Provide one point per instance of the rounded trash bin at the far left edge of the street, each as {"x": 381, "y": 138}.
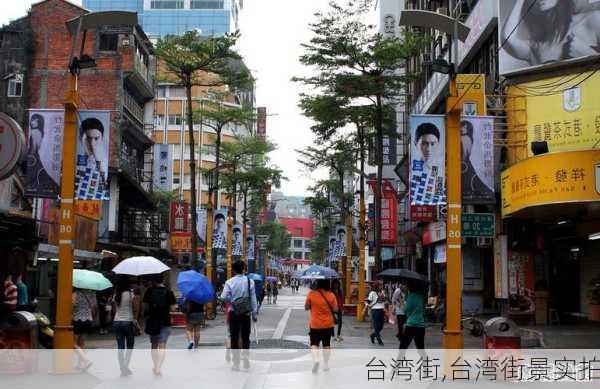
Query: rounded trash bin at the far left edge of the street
{"x": 18, "y": 343}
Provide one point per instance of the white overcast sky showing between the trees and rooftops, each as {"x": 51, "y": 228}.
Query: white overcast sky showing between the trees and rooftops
{"x": 272, "y": 31}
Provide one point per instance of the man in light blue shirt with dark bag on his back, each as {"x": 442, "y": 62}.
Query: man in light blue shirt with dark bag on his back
{"x": 240, "y": 293}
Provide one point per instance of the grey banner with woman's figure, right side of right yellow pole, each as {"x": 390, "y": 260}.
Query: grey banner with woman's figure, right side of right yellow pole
{"x": 477, "y": 138}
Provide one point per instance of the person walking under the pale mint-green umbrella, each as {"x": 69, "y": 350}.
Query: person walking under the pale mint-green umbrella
{"x": 85, "y": 310}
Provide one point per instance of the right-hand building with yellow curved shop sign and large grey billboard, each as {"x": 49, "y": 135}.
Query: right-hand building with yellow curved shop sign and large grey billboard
{"x": 545, "y": 167}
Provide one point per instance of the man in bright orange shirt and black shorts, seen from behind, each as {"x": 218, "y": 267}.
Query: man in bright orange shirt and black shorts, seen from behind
{"x": 322, "y": 305}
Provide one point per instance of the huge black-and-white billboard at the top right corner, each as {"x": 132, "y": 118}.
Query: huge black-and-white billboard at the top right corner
{"x": 534, "y": 33}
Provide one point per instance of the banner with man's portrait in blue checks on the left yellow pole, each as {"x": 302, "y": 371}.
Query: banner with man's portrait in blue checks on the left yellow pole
{"x": 91, "y": 174}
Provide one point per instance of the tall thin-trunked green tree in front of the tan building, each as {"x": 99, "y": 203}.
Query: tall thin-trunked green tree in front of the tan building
{"x": 192, "y": 60}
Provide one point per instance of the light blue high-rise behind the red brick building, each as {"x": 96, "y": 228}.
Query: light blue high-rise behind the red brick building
{"x": 159, "y": 18}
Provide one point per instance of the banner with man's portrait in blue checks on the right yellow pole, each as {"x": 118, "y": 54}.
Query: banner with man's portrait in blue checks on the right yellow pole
{"x": 427, "y": 160}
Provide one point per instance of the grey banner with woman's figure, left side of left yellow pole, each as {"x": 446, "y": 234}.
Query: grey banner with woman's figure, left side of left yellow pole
{"x": 44, "y": 153}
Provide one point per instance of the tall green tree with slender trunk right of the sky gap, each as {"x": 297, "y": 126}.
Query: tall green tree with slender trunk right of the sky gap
{"x": 353, "y": 61}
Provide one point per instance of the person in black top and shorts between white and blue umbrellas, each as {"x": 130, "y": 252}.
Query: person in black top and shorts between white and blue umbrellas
{"x": 159, "y": 301}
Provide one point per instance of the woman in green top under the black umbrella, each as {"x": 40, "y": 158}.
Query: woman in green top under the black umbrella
{"x": 414, "y": 328}
